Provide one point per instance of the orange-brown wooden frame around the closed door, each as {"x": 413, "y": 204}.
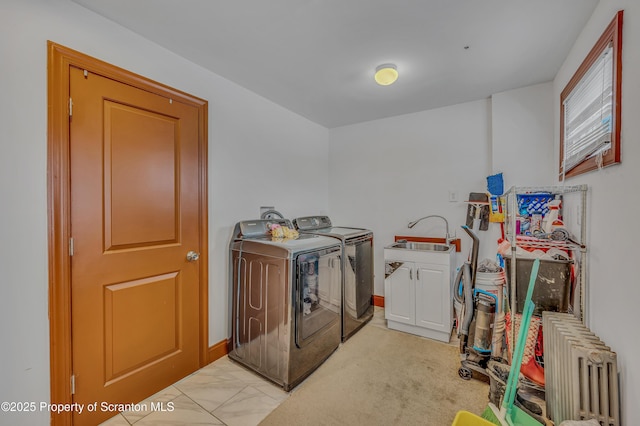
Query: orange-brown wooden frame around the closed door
{"x": 59, "y": 59}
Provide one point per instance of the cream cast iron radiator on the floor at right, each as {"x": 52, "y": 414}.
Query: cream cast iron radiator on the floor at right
{"x": 581, "y": 374}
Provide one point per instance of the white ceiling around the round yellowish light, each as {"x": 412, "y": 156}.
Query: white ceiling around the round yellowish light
{"x": 317, "y": 57}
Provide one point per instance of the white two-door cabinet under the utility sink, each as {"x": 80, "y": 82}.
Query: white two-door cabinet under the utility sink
{"x": 418, "y": 296}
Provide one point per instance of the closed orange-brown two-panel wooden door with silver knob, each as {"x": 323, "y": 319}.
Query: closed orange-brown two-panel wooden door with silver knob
{"x": 134, "y": 217}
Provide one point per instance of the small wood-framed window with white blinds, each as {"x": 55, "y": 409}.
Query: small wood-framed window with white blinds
{"x": 590, "y": 107}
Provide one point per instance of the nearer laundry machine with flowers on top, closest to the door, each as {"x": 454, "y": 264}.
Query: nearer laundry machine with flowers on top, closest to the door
{"x": 285, "y": 315}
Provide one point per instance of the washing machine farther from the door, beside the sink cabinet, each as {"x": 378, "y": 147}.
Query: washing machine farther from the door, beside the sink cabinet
{"x": 357, "y": 269}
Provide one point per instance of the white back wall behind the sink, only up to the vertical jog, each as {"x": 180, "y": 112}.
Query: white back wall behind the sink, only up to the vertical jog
{"x": 386, "y": 173}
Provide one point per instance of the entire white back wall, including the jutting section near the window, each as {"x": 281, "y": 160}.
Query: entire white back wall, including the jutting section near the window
{"x": 386, "y": 173}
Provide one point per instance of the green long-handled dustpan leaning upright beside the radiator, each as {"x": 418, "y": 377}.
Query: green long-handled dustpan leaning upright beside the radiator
{"x": 509, "y": 414}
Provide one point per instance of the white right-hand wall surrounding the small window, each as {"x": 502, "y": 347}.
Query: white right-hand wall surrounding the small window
{"x": 613, "y": 287}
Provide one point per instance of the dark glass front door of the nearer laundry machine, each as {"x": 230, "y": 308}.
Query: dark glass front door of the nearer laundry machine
{"x": 318, "y": 292}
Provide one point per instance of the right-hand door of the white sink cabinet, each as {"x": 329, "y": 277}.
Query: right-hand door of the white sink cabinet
{"x": 433, "y": 299}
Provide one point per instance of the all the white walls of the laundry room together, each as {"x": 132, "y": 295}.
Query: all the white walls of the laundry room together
{"x": 378, "y": 175}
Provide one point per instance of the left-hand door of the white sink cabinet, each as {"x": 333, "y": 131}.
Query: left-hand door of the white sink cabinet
{"x": 399, "y": 290}
